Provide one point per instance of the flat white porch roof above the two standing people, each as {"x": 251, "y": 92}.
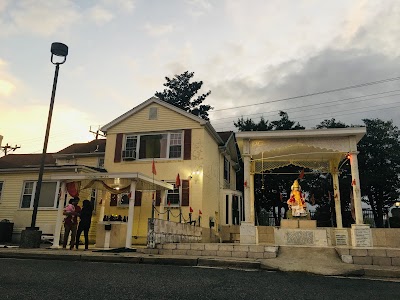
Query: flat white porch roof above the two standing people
{"x": 143, "y": 182}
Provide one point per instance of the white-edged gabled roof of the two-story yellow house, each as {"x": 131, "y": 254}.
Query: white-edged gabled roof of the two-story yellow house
{"x": 152, "y": 100}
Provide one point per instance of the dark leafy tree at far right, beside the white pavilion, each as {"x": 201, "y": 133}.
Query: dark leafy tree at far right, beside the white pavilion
{"x": 379, "y": 165}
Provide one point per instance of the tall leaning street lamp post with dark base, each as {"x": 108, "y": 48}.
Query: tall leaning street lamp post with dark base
{"x": 31, "y": 236}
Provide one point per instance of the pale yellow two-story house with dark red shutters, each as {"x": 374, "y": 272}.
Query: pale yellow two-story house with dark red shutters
{"x": 155, "y": 154}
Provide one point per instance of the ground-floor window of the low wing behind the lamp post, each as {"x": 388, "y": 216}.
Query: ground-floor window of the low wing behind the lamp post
{"x": 48, "y": 194}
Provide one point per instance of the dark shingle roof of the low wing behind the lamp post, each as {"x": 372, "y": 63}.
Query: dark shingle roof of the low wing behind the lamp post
{"x": 22, "y": 160}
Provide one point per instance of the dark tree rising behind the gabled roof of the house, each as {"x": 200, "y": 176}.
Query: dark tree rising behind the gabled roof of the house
{"x": 181, "y": 93}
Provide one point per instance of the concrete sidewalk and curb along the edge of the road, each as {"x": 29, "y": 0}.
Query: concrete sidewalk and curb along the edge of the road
{"x": 318, "y": 262}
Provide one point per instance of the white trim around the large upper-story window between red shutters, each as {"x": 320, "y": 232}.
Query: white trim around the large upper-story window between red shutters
{"x": 138, "y": 136}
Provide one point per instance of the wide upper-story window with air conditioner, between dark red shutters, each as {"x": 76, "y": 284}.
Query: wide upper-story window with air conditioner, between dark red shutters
{"x": 146, "y": 146}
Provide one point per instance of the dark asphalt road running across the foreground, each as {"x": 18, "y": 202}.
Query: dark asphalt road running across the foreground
{"x": 50, "y": 279}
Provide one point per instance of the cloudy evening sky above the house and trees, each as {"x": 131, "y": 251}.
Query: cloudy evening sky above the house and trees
{"x": 251, "y": 54}
